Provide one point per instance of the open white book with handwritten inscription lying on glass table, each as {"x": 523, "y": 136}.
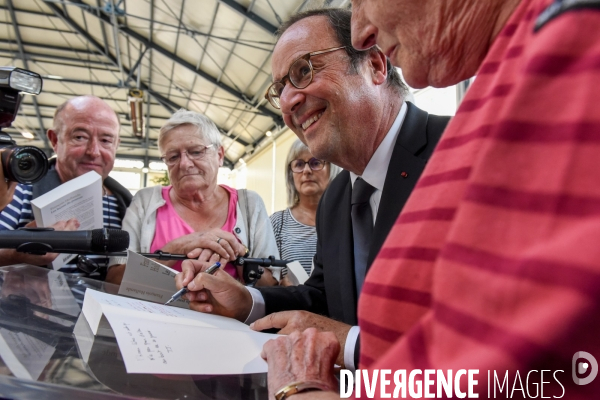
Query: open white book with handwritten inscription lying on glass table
{"x": 158, "y": 339}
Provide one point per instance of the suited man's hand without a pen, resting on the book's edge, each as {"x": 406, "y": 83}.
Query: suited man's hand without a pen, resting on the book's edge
{"x": 293, "y": 321}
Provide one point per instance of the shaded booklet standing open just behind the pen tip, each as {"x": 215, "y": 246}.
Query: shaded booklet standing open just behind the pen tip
{"x": 147, "y": 279}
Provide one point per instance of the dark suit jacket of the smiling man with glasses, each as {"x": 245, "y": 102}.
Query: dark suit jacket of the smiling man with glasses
{"x": 331, "y": 288}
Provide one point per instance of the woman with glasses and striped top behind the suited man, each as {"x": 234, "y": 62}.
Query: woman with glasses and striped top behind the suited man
{"x": 306, "y": 178}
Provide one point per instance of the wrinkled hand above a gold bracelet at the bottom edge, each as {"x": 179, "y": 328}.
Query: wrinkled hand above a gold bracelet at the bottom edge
{"x": 300, "y": 357}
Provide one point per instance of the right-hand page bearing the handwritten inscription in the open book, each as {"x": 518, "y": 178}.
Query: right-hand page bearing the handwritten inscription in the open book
{"x": 155, "y": 347}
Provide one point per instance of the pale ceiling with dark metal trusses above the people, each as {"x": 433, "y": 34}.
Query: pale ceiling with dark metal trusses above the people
{"x": 210, "y": 56}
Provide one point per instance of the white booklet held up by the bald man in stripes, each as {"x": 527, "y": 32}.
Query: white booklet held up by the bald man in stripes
{"x": 79, "y": 198}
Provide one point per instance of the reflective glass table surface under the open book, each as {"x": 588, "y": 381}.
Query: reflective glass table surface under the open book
{"x": 47, "y": 349}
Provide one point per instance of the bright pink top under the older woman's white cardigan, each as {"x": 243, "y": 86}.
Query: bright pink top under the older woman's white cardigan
{"x": 169, "y": 225}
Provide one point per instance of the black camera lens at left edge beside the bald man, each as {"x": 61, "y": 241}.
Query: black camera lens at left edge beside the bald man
{"x": 25, "y": 164}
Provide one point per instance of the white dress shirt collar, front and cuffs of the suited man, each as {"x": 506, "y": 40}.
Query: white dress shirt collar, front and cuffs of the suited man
{"x": 374, "y": 174}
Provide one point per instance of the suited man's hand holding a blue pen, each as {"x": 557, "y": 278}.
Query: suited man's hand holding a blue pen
{"x": 218, "y": 294}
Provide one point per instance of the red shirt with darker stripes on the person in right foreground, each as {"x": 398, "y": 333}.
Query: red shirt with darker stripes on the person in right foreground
{"x": 494, "y": 262}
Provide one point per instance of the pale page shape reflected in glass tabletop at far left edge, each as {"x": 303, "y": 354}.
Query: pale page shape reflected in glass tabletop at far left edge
{"x": 24, "y": 355}
